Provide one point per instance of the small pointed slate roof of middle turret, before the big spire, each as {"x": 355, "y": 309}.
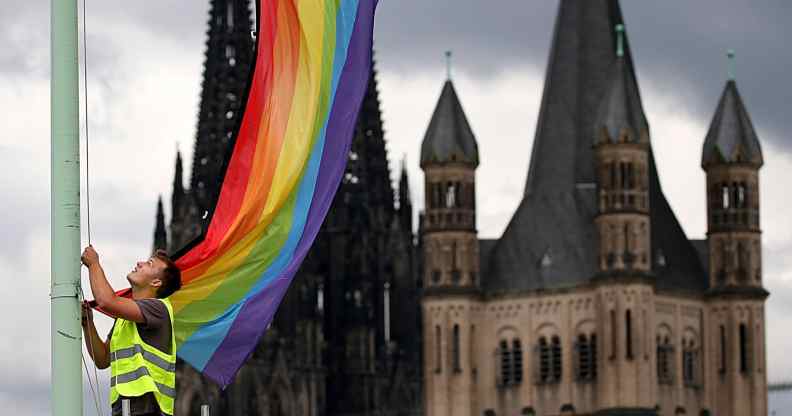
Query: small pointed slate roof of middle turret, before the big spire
{"x": 621, "y": 107}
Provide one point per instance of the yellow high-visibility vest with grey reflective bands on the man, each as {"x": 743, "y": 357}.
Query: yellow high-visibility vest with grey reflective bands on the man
{"x": 137, "y": 368}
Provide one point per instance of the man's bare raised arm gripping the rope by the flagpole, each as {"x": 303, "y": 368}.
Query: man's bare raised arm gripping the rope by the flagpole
{"x": 104, "y": 294}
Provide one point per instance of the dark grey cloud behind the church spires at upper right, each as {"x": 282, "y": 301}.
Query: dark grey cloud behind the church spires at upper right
{"x": 676, "y": 43}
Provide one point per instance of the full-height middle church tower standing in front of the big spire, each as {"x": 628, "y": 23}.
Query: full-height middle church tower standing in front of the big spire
{"x": 621, "y": 147}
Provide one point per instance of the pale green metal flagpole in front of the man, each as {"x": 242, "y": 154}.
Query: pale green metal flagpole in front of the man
{"x": 66, "y": 333}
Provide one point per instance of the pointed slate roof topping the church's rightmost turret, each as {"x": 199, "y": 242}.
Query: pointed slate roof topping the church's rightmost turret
{"x": 731, "y": 137}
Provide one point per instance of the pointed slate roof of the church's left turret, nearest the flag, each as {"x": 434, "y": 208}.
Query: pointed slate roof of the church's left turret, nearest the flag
{"x": 449, "y": 137}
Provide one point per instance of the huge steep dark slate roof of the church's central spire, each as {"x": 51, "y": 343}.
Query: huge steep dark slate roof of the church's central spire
{"x": 551, "y": 241}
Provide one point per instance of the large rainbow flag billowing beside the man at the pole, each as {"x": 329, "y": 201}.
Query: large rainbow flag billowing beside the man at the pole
{"x": 311, "y": 70}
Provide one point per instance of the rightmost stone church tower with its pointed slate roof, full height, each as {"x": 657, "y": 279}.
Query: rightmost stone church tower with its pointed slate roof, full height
{"x": 731, "y": 159}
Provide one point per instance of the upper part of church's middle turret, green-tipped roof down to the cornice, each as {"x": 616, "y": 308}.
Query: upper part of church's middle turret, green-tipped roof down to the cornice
{"x": 621, "y": 145}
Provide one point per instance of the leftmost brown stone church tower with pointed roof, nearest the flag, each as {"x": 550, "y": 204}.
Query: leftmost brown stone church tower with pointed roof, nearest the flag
{"x": 449, "y": 158}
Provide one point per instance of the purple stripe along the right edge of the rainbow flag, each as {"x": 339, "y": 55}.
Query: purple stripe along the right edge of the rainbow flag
{"x": 247, "y": 329}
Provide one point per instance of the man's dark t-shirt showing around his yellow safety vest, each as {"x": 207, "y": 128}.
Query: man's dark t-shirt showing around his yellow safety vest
{"x": 156, "y": 332}
